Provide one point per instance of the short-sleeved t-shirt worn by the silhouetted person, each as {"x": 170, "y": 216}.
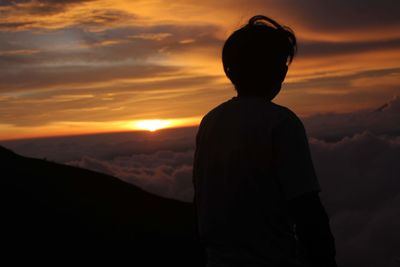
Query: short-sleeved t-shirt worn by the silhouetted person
{"x": 251, "y": 157}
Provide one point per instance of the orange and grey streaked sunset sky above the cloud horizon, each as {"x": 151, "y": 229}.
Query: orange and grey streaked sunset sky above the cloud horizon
{"x": 84, "y": 66}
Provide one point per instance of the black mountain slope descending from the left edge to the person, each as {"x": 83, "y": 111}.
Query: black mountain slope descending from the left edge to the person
{"x": 51, "y": 209}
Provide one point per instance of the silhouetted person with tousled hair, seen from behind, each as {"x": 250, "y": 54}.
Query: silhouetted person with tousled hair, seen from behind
{"x": 256, "y": 192}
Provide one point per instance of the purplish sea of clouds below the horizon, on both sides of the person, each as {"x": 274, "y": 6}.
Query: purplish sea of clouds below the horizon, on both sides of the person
{"x": 356, "y": 157}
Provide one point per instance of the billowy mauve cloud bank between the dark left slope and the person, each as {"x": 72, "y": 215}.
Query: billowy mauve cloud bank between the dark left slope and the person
{"x": 167, "y": 173}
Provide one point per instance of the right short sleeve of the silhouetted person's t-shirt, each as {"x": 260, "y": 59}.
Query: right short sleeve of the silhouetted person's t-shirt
{"x": 293, "y": 162}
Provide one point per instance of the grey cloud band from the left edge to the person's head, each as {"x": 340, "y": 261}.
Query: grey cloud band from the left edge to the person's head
{"x": 114, "y": 45}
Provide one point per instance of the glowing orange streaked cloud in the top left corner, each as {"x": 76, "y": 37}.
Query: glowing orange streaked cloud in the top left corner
{"x": 43, "y": 15}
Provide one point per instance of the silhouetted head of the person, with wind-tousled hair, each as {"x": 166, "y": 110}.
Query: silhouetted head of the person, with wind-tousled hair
{"x": 256, "y": 56}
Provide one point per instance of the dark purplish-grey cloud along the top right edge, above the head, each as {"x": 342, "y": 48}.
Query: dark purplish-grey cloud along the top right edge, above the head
{"x": 331, "y": 15}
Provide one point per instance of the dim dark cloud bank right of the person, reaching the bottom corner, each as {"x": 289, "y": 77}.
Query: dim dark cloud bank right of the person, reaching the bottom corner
{"x": 360, "y": 180}
